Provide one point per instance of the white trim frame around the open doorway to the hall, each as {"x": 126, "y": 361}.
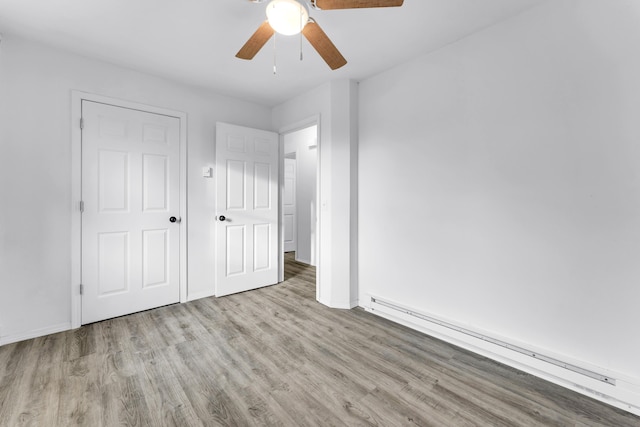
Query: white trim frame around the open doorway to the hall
{"x": 302, "y": 124}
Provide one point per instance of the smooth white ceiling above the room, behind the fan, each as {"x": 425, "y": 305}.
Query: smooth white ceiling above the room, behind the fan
{"x": 195, "y": 41}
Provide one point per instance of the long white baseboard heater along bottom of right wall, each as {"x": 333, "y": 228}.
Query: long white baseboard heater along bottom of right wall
{"x": 622, "y": 391}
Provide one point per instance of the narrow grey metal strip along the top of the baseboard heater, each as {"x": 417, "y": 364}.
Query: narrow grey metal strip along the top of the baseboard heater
{"x": 596, "y": 376}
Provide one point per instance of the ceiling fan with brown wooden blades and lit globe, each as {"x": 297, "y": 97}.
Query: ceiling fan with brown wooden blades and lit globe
{"x": 290, "y": 17}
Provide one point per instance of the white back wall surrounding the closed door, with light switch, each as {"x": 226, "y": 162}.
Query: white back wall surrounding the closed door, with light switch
{"x": 35, "y": 166}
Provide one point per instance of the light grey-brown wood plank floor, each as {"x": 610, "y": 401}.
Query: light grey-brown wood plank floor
{"x": 273, "y": 356}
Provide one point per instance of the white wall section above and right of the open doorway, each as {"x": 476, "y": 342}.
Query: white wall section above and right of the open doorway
{"x": 335, "y": 104}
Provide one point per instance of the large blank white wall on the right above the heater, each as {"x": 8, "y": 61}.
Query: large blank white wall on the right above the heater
{"x": 500, "y": 183}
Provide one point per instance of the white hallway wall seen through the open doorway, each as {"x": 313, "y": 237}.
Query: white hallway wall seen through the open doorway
{"x": 303, "y": 143}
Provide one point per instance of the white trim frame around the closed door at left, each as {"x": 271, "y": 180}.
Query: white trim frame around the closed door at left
{"x": 76, "y": 191}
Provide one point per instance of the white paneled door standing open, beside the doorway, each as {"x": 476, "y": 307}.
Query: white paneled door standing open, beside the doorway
{"x": 247, "y": 201}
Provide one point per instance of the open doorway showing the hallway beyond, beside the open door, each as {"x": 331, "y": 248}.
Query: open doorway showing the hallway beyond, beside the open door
{"x": 299, "y": 196}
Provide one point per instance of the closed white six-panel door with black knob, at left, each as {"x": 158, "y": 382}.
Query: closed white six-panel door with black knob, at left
{"x": 130, "y": 222}
